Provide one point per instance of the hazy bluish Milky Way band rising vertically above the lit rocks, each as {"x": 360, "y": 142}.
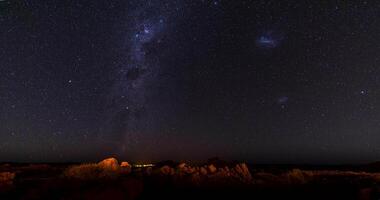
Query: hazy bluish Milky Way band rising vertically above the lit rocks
{"x": 138, "y": 72}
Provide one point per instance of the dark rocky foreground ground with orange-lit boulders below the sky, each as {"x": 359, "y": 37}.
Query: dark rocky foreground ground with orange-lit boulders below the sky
{"x": 112, "y": 180}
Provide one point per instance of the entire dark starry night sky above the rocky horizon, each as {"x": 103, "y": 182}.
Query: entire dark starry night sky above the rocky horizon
{"x": 150, "y": 80}
